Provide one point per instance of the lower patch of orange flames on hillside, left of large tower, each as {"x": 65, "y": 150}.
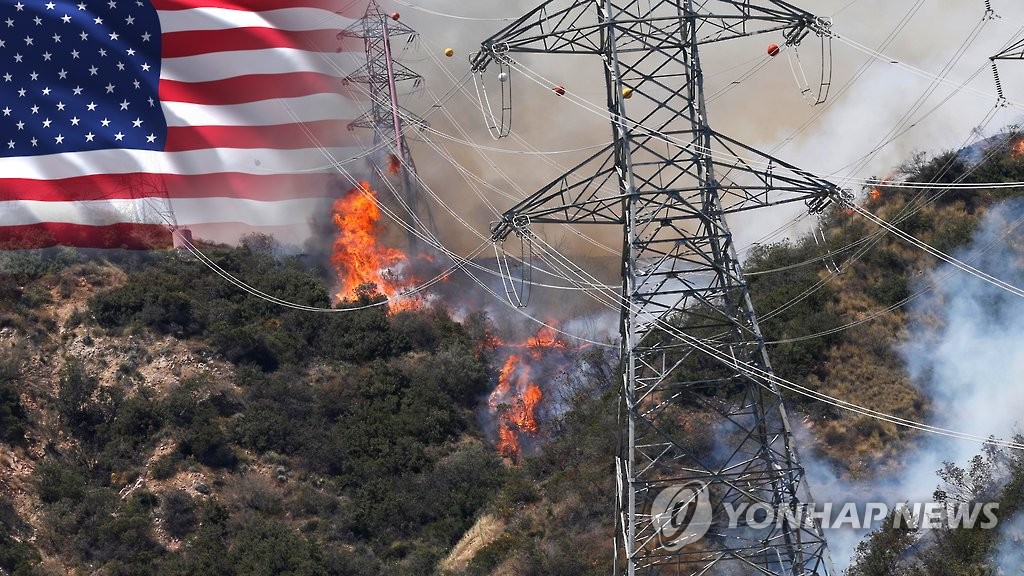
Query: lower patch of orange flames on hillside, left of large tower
{"x": 517, "y": 401}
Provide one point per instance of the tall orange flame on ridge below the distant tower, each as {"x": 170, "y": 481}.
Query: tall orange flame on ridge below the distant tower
{"x": 359, "y": 259}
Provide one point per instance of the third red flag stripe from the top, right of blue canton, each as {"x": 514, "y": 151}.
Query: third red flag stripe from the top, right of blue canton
{"x": 252, "y": 89}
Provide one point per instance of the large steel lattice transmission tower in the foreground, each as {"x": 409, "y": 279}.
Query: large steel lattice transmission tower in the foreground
{"x": 694, "y": 358}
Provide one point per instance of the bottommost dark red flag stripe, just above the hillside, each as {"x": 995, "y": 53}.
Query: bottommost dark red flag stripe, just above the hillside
{"x": 129, "y": 236}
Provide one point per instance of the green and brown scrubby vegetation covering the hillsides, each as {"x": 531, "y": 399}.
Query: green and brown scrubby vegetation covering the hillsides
{"x": 160, "y": 422}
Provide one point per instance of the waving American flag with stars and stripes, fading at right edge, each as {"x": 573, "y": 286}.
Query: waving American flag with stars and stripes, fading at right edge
{"x": 233, "y": 109}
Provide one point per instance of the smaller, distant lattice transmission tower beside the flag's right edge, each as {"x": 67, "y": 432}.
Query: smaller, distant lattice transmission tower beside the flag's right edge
{"x": 382, "y": 75}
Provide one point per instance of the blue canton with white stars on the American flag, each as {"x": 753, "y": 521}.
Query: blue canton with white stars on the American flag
{"x": 79, "y": 77}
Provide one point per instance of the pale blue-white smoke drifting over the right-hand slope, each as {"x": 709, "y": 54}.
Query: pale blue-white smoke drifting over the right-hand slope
{"x": 963, "y": 350}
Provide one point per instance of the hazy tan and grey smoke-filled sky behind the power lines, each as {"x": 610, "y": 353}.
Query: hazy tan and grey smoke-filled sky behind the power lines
{"x": 763, "y": 112}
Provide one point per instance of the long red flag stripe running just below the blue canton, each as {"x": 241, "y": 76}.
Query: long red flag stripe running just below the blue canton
{"x": 224, "y": 185}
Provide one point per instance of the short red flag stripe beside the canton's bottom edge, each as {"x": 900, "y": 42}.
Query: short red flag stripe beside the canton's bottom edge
{"x": 328, "y": 134}
